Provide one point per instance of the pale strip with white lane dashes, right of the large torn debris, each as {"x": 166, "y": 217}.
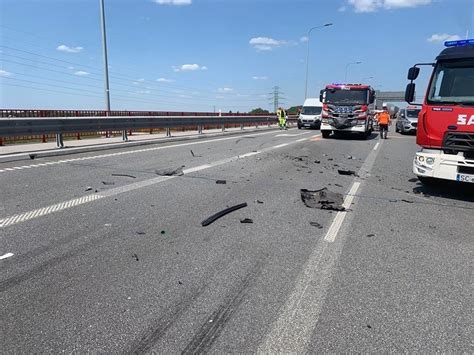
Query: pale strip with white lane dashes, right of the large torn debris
{"x": 291, "y": 332}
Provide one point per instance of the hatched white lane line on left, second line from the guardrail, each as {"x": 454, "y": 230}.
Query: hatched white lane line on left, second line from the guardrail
{"x": 23, "y": 217}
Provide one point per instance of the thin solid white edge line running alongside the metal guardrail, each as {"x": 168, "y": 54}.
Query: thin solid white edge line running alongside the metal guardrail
{"x": 101, "y": 156}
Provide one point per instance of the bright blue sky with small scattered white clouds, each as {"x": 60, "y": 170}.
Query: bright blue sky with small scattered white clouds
{"x": 194, "y": 55}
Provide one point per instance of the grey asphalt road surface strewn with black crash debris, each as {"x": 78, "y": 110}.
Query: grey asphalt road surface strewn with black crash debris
{"x": 100, "y": 252}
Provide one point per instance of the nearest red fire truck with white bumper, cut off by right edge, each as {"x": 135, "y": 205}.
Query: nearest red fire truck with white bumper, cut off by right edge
{"x": 446, "y": 121}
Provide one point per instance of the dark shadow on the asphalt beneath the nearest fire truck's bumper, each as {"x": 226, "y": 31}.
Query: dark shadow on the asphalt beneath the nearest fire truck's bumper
{"x": 447, "y": 189}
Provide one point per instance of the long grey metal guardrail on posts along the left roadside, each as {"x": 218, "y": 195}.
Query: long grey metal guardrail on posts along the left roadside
{"x": 60, "y": 125}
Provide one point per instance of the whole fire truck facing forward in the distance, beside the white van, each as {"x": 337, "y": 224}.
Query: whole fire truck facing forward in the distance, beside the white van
{"x": 347, "y": 108}
